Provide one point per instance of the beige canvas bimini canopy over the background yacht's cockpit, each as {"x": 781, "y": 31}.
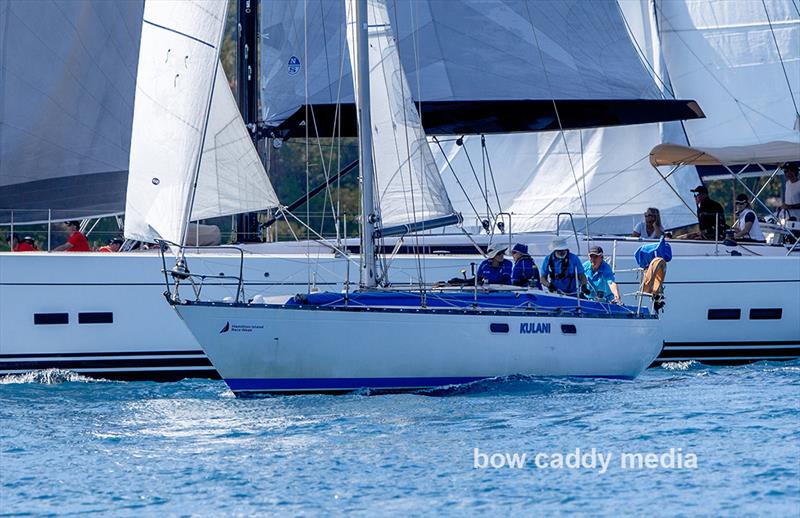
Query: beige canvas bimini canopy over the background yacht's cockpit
{"x": 769, "y": 153}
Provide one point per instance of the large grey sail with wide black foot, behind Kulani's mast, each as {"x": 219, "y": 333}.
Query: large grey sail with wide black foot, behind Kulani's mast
{"x": 478, "y": 68}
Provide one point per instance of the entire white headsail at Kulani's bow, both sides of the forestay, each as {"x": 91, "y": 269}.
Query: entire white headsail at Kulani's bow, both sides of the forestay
{"x": 179, "y": 125}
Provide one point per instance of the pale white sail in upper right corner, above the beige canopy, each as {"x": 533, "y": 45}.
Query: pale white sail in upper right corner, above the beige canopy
{"x": 741, "y": 62}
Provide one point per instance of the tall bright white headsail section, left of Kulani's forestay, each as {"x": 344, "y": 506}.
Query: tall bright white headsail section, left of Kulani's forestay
{"x": 177, "y": 64}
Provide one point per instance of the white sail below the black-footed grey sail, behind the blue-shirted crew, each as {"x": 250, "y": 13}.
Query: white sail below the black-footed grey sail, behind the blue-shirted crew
{"x": 538, "y": 176}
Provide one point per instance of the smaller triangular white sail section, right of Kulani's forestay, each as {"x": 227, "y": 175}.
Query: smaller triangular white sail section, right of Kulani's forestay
{"x": 232, "y": 178}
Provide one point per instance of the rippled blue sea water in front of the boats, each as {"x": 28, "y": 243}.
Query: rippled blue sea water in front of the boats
{"x": 192, "y": 448}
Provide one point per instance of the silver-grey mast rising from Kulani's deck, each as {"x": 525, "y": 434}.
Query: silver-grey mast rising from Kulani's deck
{"x": 368, "y": 219}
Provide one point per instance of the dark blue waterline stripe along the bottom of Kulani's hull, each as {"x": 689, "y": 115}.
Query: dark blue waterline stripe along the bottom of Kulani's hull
{"x": 329, "y": 384}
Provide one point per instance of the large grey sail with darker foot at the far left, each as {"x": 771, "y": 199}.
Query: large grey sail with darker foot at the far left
{"x": 67, "y": 83}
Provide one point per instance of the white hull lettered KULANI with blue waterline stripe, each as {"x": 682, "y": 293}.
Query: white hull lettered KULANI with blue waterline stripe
{"x": 279, "y": 349}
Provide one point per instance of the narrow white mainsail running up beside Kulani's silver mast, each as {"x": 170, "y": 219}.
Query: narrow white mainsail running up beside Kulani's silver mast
{"x": 409, "y": 188}
